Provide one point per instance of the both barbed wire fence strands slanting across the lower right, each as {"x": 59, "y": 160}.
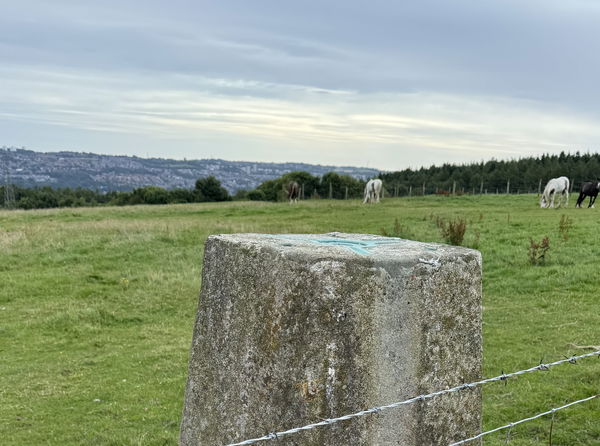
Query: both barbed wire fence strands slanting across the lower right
{"x": 502, "y": 377}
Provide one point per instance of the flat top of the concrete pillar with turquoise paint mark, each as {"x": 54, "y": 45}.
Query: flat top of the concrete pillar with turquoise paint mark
{"x": 343, "y": 245}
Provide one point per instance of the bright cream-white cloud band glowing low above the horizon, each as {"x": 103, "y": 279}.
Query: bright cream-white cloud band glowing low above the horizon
{"x": 451, "y": 127}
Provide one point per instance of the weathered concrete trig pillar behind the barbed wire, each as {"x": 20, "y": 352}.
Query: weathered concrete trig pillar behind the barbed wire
{"x": 294, "y": 329}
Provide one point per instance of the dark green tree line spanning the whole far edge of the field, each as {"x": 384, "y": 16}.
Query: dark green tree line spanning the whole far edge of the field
{"x": 526, "y": 175}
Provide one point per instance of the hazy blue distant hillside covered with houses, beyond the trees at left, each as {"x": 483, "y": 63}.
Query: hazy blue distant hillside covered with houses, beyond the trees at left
{"x": 124, "y": 173}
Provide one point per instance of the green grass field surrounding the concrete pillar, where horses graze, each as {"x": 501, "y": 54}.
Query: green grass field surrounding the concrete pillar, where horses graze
{"x": 97, "y": 307}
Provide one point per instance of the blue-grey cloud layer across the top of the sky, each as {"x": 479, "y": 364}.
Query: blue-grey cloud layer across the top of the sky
{"x": 509, "y": 48}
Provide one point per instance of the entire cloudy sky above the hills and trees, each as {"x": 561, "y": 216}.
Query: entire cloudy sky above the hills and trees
{"x": 381, "y": 84}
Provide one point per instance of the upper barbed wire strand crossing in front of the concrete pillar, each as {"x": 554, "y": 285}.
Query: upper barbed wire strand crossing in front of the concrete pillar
{"x": 503, "y": 377}
